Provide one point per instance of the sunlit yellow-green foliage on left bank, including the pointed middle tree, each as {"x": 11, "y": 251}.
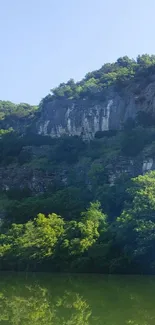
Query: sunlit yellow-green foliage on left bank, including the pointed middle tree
{"x": 45, "y": 239}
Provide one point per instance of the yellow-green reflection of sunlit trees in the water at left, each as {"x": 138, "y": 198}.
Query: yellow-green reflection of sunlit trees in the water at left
{"x": 34, "y": 305}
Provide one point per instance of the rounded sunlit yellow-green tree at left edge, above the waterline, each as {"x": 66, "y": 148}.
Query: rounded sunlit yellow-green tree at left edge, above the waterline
{"x": 34, "y": 241}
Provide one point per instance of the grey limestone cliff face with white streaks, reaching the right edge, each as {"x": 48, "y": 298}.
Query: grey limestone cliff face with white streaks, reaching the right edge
{"x": 86, "y": 117}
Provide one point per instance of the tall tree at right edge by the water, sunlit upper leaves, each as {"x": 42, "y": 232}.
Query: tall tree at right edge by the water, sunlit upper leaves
{"x": 136, "y": 224}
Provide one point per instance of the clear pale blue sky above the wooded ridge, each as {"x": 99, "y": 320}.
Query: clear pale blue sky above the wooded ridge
{"x": 45, "y": 42}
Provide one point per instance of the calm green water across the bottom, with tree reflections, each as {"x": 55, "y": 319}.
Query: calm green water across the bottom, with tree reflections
{"x": 47, "y": 299}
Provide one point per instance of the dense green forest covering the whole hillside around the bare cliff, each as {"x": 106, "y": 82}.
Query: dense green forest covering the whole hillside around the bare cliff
{"x": 98, "y": 213}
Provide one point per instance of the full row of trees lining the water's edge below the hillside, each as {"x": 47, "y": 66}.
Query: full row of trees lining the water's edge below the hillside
{"x": 92, "y": 244}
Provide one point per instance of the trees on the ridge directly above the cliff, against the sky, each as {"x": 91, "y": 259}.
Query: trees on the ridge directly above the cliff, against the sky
{"x": 118, "y": 74}
